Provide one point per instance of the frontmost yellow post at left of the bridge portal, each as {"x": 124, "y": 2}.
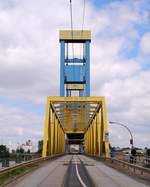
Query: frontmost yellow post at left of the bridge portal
{"x": 44, "y": 151}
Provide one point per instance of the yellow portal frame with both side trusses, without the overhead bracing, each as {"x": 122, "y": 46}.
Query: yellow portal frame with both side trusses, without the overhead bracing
{"x": 96, "y": 141}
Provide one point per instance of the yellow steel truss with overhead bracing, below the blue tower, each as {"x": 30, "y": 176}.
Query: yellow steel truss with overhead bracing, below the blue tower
{"x": 76, "y": 115}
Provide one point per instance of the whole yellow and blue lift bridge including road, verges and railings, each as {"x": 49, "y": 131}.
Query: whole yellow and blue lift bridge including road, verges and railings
{"x": 75, "y": 119}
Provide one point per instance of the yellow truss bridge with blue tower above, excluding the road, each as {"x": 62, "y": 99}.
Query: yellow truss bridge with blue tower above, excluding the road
{"x": 75, "y": 117}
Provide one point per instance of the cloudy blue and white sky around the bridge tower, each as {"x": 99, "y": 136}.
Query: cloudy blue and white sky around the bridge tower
{"x": 29, "y": 64}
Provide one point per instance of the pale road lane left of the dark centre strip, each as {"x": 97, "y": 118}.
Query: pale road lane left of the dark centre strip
{"x": 50, "y": 175}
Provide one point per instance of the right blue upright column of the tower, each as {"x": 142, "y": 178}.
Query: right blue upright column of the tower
{"x": 87, "y": 67}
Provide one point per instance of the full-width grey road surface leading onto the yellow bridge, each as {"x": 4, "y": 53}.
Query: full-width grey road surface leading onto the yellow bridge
{"x": 54, "y": 174}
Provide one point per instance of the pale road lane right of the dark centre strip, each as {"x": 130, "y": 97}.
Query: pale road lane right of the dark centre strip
{"x": 104, "y": 176}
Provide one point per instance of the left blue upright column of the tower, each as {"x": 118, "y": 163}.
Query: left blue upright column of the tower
{"x": 62, "y": 58}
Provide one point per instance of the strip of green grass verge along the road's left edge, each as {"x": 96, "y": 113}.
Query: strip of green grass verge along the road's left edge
{"x": 18, "y": 171}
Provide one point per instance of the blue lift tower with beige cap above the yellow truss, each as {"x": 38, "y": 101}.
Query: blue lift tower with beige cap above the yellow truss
{"x": 74, "y": 70}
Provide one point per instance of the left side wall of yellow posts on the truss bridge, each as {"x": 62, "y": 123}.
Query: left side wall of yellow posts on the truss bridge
{"x": 54, "y": 136}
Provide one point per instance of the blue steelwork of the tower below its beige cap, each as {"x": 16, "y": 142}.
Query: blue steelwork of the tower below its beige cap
{"x": 74, "y": 71}
